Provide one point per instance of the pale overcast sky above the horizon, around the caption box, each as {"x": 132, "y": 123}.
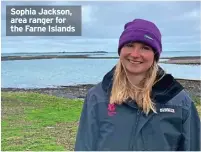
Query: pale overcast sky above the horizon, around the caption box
{"x": 102, "y": 24}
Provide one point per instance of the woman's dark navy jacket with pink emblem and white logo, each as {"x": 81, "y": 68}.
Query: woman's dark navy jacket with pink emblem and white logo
{"x": 175, "y": 126}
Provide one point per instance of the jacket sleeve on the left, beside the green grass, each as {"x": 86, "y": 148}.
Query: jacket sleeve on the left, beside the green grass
{"x": 87, "y": 133}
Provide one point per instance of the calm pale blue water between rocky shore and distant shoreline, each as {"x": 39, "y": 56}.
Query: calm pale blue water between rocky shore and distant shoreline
{"x": 56, "y": 72}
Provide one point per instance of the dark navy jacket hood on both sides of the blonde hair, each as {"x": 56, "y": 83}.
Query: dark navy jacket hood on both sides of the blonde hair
{"x": 162, "y": 91}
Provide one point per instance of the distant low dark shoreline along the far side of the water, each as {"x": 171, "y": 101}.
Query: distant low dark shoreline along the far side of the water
{"x": 195, "y": 60}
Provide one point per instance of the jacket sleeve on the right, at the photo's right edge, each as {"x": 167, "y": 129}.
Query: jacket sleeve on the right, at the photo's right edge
{"x": 191, "y": 130}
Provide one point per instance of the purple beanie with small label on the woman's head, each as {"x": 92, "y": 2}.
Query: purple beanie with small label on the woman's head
{"x": 140, "y": 30}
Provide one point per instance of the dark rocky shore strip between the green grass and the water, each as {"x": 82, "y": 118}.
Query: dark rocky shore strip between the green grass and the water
{"x": 193, "y": 87}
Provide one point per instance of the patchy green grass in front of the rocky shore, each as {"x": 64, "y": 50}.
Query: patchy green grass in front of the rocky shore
{"x": 38, "y": 122}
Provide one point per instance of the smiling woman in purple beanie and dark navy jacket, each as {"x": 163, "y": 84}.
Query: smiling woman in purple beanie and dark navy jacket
{"x": 137, "y": 106}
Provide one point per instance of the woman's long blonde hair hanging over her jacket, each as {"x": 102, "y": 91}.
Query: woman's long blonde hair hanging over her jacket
{"x": 122, "y": 89}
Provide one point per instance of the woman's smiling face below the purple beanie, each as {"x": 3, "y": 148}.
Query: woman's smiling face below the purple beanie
{"x": 137, "y": 57}
